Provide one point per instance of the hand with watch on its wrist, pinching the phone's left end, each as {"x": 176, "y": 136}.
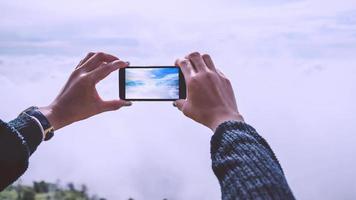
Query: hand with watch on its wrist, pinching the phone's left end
{"x": 79, "y": 98}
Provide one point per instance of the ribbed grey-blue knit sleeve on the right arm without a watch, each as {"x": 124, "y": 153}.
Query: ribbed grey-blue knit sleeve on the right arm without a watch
{"x": 245, "y": 165}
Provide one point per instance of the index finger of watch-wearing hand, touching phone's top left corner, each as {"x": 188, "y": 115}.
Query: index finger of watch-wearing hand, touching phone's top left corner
{"x": 105, "y": 69}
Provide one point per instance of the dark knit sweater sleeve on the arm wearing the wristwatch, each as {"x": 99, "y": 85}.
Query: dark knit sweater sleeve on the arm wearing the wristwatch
{"x": 18, "y": 140}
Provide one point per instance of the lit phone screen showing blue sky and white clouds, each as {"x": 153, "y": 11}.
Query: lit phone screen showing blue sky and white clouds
{"x": 153, "y": 83}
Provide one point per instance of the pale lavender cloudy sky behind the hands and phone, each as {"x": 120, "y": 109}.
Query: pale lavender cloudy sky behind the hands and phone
{"x": 292, "y": 65}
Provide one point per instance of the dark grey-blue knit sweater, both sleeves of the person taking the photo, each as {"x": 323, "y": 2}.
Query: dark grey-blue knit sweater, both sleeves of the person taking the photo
{"x": 242, "y": 160}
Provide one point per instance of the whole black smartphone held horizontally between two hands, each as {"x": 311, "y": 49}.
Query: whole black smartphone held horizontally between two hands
{"x": 151, "y": 83}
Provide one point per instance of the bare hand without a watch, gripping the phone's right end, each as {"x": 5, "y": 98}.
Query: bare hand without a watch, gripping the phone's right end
{"x": 210, "y": 97}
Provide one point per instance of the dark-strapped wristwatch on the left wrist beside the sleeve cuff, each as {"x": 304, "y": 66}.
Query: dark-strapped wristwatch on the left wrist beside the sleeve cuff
{"x": 47, "y": 128}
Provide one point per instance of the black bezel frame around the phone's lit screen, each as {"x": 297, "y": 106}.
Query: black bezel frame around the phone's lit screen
{"x": 122, "y": 80}
